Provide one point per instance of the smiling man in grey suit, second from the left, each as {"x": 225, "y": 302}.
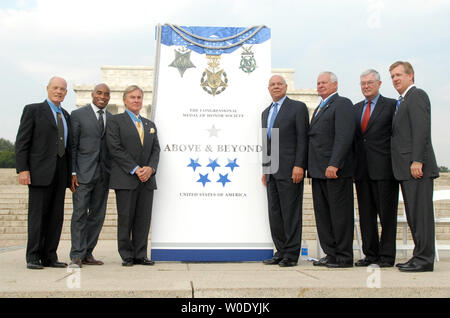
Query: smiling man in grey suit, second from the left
{"x": 90, "y": 176}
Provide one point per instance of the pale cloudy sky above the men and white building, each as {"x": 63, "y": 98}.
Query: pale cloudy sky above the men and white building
{"x": 73, "y": 39}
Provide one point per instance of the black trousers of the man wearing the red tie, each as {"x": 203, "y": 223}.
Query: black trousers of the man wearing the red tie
{"x": 378, "y": 198}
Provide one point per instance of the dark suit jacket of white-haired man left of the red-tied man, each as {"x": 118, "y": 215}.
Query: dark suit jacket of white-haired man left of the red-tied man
{"x": 331, "y": 135}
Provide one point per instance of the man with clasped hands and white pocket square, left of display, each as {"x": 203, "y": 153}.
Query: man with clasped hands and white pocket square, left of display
{"x": 133, "y": 144}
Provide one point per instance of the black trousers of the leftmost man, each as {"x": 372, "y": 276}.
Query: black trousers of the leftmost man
{"x": 46, "y": 216}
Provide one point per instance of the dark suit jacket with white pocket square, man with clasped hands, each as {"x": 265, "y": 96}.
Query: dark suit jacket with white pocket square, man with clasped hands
{"x": 127, "y": 152}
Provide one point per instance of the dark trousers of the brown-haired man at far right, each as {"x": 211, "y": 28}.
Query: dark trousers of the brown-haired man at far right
{"x": 418, "y": 199}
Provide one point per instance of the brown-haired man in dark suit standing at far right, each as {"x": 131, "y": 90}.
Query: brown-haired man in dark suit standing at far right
{"x": 414, "y": 164}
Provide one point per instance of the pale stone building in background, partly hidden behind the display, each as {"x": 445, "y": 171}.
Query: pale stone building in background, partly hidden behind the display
{"x": 119, "y": 77}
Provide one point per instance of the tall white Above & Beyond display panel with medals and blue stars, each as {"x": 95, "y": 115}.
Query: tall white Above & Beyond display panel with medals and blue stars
{"x": 210, "y": 89}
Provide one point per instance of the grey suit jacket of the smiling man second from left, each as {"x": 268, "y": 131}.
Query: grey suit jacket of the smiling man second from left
{"x": 88, "y": 144}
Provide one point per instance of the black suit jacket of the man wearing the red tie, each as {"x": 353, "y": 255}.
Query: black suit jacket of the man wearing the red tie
{"x": 373, "y": 147}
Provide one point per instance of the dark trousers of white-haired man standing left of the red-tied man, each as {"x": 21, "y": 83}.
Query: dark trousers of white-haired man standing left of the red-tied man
{"x": 333, "y": 210}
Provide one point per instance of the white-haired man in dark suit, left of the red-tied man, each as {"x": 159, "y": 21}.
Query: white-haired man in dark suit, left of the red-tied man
{"x": 331, "y": 167}
